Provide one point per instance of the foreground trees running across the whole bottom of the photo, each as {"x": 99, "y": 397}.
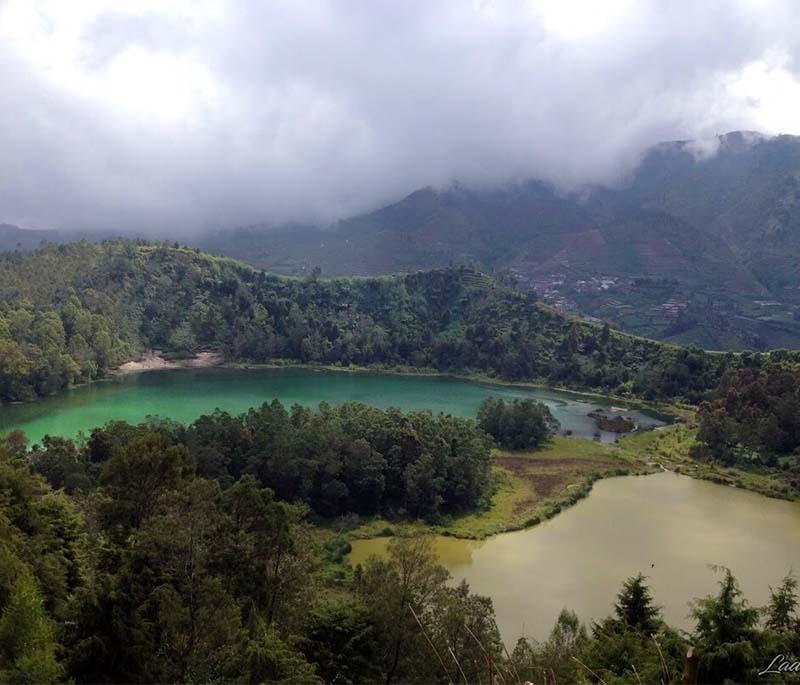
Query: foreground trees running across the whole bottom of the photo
{"x": 143, "y": 568}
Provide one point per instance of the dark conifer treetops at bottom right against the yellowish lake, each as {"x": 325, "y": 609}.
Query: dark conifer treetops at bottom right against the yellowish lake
{"x": 733, "y": 640}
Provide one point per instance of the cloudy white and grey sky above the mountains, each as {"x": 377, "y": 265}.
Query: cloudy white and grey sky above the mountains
{"x": 185, "y": 115}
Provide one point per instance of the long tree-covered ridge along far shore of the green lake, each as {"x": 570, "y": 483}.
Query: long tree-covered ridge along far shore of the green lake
{"x": 72, "y": 312}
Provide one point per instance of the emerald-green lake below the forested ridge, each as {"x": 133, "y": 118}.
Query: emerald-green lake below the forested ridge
{"x": 185, "y": 394}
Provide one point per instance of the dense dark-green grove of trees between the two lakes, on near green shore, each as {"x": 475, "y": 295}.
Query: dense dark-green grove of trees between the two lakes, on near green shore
{"x": 349, "y": 458}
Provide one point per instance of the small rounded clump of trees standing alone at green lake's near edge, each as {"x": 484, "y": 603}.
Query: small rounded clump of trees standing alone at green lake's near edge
{"x": 519, "y": 425}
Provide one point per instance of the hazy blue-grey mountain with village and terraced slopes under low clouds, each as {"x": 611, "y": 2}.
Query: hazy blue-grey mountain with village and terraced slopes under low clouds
{"x": 699, "y": 244}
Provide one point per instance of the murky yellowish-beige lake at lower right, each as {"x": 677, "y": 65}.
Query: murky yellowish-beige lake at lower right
{"x": 670, "y": 527}
